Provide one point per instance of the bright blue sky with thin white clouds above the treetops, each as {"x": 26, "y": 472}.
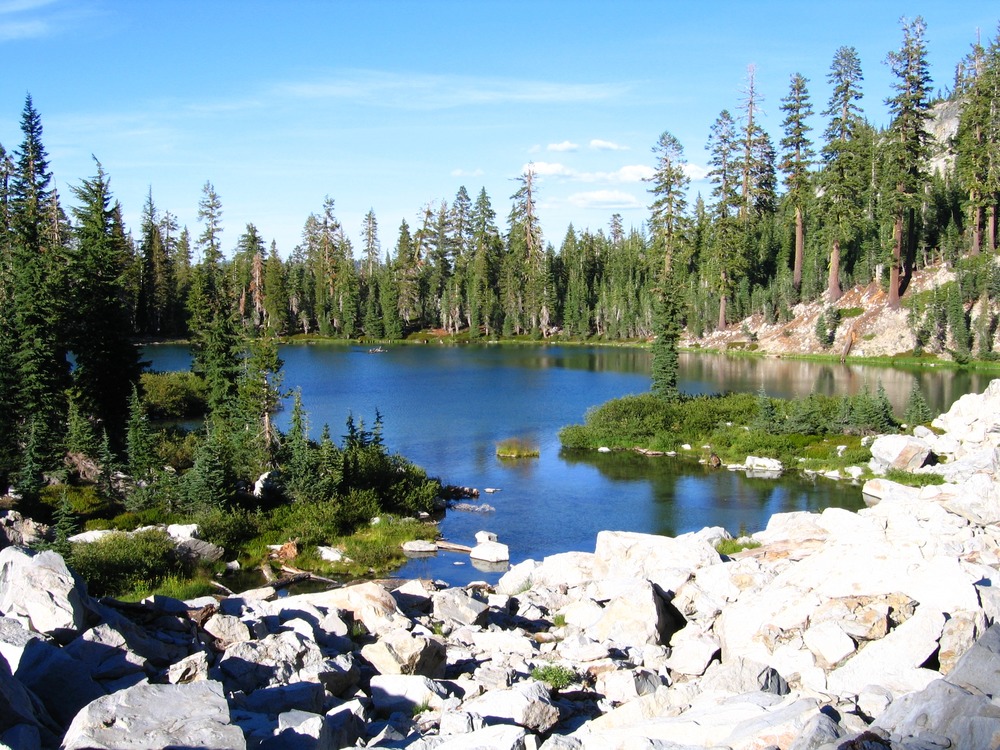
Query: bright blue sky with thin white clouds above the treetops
{"x": 393, "y": 105}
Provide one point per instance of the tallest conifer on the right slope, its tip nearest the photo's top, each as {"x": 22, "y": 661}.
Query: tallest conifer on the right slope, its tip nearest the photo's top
{"x": 907, "y": 149}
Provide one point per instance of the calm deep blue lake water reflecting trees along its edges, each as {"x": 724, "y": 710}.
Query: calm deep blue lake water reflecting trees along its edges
{"x": 445, "y": 408}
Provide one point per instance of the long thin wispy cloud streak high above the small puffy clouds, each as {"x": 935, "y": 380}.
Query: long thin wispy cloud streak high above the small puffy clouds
{"x": 424, "y": 91}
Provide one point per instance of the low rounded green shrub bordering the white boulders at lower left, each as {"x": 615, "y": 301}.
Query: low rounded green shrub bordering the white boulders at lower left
{"x": 120, "y": 563}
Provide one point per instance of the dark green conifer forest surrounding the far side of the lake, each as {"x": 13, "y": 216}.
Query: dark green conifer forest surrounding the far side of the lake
{"x": 792, "y": 216}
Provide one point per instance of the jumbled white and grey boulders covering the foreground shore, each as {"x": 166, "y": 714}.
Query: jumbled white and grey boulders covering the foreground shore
{"x": 842, "y": 630}
